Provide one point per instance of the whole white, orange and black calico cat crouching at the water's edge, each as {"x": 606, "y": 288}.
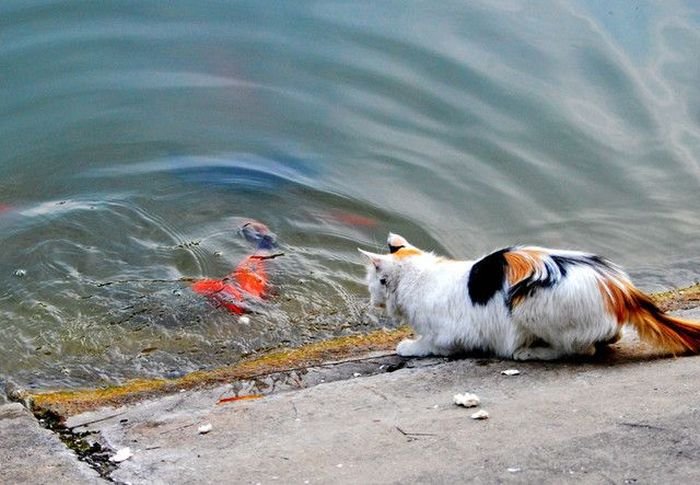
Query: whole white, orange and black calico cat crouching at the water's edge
{"x": 521, "y": 302}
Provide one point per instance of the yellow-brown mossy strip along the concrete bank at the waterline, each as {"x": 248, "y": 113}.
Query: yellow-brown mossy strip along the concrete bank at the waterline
{"x": 276, "y": 363}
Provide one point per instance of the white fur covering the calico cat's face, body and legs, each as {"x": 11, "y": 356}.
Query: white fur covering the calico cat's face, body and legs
{"x": 430, "y": 294}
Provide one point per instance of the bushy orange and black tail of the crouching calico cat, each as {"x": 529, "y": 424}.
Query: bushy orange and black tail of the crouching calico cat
{"x": 673, "y": 334}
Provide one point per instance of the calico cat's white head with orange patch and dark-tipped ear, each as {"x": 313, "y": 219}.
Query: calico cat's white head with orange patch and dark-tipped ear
{"x": 383, "y": 270}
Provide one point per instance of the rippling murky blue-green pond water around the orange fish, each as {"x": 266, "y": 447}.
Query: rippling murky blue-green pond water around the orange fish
{"x": 136, "y": 136}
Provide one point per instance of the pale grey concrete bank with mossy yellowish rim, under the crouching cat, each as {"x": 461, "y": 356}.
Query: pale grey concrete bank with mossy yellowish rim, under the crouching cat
{"x": 628, "y": 415}
